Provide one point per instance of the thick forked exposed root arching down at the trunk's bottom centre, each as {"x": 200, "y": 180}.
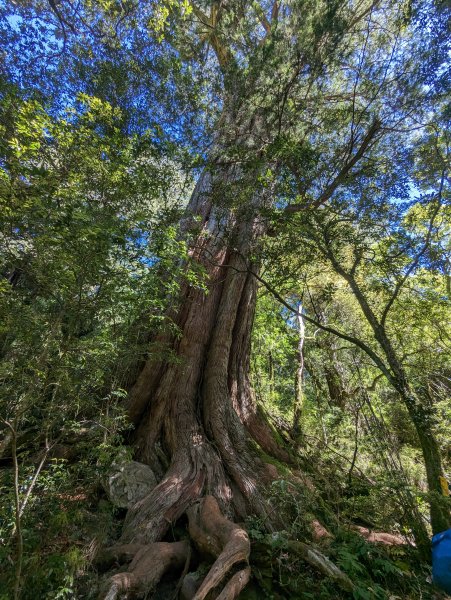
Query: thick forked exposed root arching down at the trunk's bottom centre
{"x": 217, "y": 536}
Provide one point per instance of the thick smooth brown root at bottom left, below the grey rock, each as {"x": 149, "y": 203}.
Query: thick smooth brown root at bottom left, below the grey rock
{"x": 147, "y": 568}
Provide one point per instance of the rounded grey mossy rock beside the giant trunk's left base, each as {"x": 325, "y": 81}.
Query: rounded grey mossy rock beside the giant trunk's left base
{"x": 128, "y": 483}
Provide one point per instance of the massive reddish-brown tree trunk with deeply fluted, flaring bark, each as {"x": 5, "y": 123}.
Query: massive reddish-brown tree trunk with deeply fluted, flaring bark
{"x": 197, "y": 424}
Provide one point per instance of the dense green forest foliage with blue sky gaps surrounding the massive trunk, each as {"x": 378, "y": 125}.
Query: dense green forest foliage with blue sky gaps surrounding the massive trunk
{"x": 109, "y": 110}
